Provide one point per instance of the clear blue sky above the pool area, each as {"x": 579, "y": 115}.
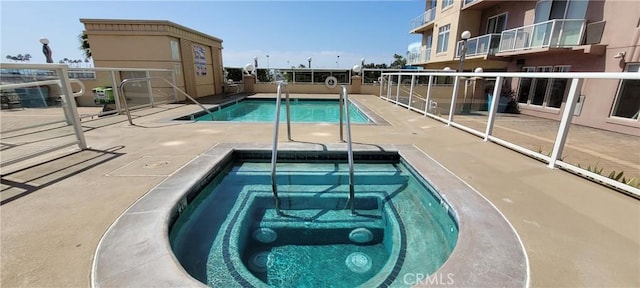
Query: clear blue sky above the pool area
{"x": 285, "y": 30}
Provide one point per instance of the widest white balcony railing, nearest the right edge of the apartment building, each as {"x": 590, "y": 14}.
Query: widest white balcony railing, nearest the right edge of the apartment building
{"x": 556, "y": 33}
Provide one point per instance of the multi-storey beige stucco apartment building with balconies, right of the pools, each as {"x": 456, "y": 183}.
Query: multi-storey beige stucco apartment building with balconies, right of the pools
{"x": 542, "y": 36}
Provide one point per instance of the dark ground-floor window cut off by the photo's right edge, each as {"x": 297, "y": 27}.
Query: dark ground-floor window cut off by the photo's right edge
{"x": 627, "y": 104}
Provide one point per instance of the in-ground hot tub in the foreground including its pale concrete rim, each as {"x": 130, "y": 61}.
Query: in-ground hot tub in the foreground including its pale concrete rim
{"x": 138, "y": 249}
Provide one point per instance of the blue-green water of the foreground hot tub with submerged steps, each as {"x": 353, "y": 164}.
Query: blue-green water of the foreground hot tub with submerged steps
{"x": 231, "y": 236}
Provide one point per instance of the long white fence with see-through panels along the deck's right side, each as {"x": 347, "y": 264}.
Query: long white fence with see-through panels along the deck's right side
{"x": 425, "y": 93}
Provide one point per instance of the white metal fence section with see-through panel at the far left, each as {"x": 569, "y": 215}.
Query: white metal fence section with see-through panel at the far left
{"x": 25, "y": 134}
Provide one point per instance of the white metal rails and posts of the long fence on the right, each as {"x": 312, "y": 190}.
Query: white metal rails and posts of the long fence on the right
{"x": 553, "y": 159}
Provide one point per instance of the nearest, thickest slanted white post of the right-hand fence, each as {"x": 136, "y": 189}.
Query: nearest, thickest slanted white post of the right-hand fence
{"x": 565, "y": 123}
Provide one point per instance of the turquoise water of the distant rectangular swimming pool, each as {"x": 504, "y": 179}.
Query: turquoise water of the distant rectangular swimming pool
{"x": 302, "y": 111}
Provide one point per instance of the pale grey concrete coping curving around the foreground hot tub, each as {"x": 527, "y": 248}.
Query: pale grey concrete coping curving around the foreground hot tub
{"x": 135, "y": 250}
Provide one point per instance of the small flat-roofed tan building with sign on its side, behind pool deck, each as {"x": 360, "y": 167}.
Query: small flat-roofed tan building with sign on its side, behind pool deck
{"x": 195, "y": 57}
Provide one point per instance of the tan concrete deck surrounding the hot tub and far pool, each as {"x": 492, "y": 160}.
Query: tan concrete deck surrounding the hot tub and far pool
{"x": 576, "y": 233}
